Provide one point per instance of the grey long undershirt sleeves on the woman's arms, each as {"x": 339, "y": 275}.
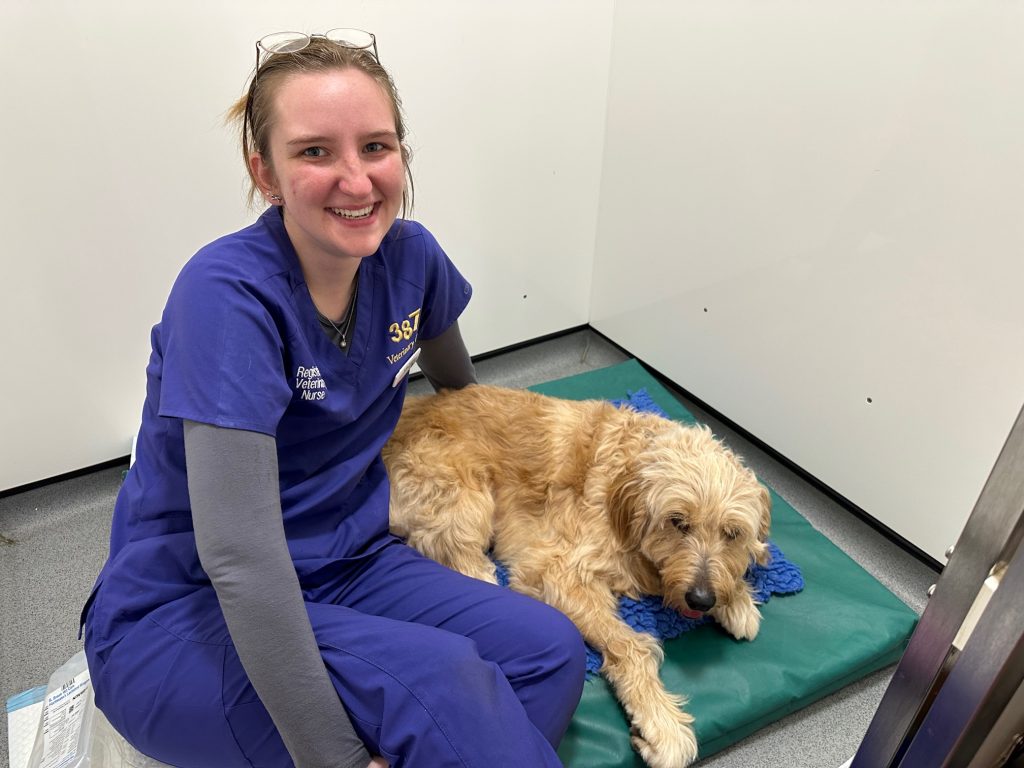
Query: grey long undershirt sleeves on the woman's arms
{"x": 236, "y": 504}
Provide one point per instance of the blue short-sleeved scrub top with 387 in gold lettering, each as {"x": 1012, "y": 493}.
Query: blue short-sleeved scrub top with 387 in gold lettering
{"x": 240, "y": 346}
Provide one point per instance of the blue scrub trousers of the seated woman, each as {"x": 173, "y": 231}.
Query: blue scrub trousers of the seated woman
{"x": 436, "y": 670}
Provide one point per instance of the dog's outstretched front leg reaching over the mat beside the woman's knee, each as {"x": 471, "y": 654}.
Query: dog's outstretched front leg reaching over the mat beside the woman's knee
{"x": 662, "y": 732}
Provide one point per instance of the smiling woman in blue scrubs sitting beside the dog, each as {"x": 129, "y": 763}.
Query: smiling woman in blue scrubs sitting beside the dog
{"x": 254, "y": 610}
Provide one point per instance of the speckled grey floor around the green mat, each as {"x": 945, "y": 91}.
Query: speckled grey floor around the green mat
{"x": 54, "y": 541}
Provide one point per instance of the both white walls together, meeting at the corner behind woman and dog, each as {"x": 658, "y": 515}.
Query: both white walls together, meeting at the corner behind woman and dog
{"x": 838, "y": 185}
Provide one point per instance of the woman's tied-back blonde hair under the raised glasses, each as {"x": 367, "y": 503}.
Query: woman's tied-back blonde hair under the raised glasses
{"x": 253, "y": 113}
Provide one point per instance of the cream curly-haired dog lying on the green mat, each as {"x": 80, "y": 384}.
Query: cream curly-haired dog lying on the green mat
{"x": 585, "y": 502}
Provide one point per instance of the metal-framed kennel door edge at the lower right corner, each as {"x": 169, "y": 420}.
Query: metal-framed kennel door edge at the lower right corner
{"x": 960, "y": 677}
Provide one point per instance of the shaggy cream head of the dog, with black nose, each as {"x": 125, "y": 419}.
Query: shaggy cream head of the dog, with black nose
{"x": 689, "y": 505}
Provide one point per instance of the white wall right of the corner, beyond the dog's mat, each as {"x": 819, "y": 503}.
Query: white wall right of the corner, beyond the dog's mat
{"x": 808, "y": 205}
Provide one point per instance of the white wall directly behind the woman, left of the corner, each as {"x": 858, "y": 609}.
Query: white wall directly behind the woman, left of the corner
{"x": 117, "y": 168}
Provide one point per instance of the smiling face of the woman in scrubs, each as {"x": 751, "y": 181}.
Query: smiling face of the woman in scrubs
{"x": 336, "y": 162}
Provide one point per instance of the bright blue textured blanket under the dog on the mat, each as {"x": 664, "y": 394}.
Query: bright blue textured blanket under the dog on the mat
{"x": 780, "y": 577}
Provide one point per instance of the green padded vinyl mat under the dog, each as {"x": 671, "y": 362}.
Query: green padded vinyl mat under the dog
{"x": 844, "y": 626}
